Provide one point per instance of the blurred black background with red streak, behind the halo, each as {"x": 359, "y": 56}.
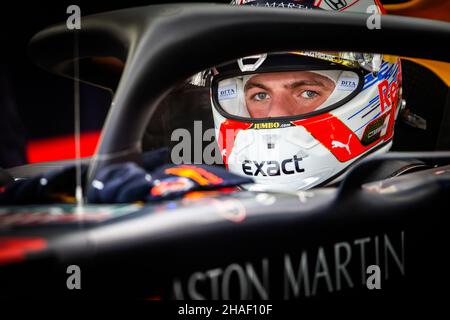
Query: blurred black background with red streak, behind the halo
{"x": 36, "y": 107}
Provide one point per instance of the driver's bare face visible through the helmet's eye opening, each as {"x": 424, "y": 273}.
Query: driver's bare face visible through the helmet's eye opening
{"x": 282, "y": 94}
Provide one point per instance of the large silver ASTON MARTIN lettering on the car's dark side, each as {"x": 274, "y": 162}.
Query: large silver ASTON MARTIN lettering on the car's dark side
{"x": 306, "y": 273}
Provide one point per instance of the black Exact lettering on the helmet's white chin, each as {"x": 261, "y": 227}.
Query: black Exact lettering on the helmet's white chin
{"x": 272, "y": 167}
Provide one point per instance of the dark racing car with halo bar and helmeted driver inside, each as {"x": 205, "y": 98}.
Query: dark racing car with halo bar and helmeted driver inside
{"x": 279, "y": 184}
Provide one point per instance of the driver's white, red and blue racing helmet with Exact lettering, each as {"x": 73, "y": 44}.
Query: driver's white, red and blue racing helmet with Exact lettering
{"x": 295, "y": 120}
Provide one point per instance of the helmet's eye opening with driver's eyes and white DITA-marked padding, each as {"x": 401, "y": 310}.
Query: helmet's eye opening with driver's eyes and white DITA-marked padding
{"x": 283, "y": 91}
